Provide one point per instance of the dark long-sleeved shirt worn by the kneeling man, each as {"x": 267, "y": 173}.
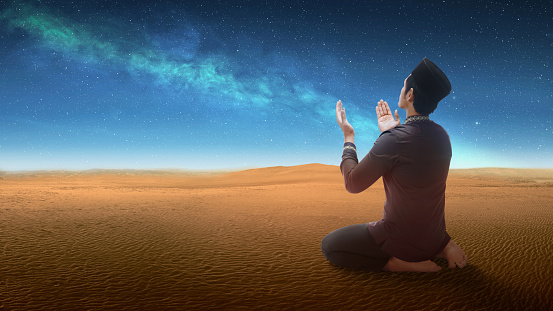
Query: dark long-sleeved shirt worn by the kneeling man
{"x": 413, "y": 160}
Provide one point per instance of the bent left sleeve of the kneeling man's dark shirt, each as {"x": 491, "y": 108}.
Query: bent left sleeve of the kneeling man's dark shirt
{"x": 382, "y": 157}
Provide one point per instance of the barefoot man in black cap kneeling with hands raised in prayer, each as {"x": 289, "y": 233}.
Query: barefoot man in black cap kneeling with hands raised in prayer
{"x": 413, "y": 160}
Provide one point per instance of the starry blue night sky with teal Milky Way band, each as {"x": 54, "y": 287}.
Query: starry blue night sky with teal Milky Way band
{"x": 240, "y": 84}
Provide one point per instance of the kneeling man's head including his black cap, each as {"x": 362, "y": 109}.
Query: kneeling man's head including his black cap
{"x": 424, "y": 88}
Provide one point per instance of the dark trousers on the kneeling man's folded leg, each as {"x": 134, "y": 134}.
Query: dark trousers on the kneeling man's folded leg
{"x": 354, "y": 247}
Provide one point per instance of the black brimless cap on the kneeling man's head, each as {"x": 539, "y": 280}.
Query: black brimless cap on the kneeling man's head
{"x": 431, "y": 80}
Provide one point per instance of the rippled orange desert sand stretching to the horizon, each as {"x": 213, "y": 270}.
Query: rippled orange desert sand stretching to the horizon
{"x": 251, "y": 239}
